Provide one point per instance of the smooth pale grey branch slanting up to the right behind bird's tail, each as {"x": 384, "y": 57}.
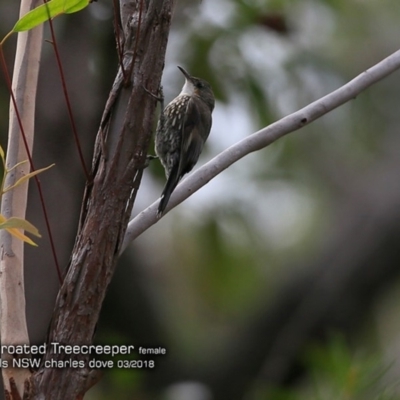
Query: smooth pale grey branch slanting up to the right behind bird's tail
{"x": 262, "y": 139}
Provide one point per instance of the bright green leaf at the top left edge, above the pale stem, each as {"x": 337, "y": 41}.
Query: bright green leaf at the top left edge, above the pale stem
{"x": 48, "y": 10}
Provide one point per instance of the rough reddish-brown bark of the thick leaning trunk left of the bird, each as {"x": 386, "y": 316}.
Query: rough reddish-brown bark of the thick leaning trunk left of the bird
{"x": 118, "y": 162}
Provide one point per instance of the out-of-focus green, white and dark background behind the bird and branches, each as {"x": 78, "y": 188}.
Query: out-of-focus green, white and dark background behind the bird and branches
{"x": 279, "y": 279}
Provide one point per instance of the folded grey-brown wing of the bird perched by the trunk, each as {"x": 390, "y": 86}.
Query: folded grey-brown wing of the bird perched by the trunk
{"x": 195, "y": 130}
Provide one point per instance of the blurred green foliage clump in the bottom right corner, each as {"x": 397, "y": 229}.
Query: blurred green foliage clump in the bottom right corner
{"x": 339, "y": 373}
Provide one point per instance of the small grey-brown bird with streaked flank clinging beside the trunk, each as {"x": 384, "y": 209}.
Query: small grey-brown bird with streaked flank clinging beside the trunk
{"x": 182, "y": 130}
